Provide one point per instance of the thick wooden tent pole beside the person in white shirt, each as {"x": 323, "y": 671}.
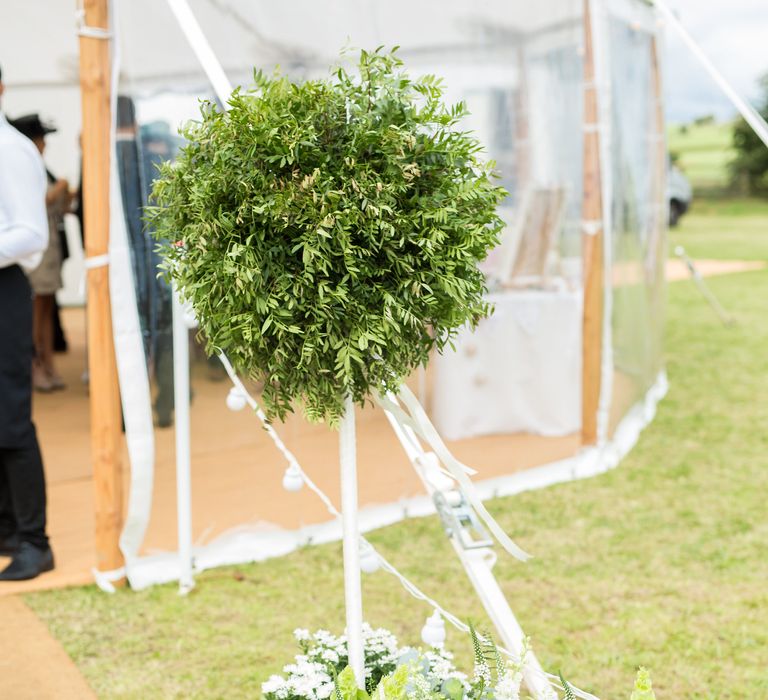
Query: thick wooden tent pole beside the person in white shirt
{"x": 105, "y": 395}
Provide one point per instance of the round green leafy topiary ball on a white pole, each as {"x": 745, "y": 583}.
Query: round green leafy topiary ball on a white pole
{"x": 327, "y": 233}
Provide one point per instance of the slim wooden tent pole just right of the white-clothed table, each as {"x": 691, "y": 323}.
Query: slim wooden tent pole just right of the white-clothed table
{"x": 592, "y": 246}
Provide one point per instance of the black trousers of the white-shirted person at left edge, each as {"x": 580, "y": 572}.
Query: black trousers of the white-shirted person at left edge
{"x": 22, "y": 480}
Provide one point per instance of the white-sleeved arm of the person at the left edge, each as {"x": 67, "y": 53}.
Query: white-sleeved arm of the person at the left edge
{"x": 22, "y": 197}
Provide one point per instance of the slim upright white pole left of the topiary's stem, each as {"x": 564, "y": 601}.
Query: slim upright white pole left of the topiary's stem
{"x": 183, "y": 462}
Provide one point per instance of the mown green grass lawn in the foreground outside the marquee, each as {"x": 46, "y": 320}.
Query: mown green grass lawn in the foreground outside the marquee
{"x": 662, "y": 562}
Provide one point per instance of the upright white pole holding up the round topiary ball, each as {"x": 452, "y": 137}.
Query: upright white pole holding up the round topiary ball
{"x": 351, "y": 528}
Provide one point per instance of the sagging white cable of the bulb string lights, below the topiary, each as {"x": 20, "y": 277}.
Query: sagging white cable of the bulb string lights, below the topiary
{"x": 408, "y": 585}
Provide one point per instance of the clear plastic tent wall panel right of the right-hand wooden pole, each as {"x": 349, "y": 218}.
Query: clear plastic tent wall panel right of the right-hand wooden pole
{"x": 636, "y": 208}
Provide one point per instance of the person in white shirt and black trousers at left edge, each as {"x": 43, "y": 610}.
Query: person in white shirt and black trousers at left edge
{"x": 23, "y": 238}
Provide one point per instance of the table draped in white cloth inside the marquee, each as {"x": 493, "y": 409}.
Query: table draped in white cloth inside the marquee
{"x": 519, "y": 371}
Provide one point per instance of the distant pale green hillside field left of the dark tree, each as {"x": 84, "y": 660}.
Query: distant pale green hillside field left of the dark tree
{"x": 704, "y": 153}
